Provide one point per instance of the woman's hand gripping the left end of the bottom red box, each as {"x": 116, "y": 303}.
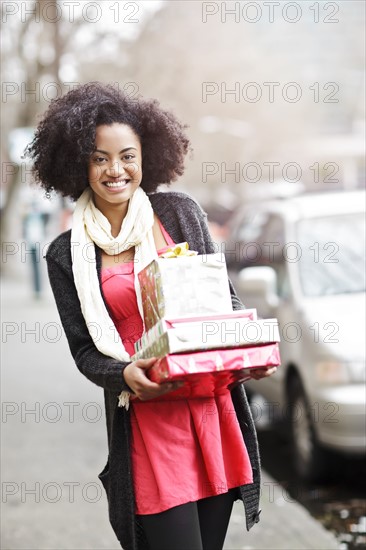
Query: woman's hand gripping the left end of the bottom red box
{"x": 135, "y": 377}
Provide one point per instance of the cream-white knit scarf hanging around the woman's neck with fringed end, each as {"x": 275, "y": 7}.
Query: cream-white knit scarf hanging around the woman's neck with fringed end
{"x": 90, "y": 226}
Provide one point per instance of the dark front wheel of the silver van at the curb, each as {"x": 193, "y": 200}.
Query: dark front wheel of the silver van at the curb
{"x": 309, "y": 458}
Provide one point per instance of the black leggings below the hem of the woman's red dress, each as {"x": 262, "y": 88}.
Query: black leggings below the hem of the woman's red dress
{"x": 200, "y": 525}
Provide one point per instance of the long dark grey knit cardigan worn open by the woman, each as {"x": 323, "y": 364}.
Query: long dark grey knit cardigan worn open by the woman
{"x": 185, "y": 221}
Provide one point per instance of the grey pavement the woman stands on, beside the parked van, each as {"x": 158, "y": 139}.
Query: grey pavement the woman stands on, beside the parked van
{"x": 54, "y": 445}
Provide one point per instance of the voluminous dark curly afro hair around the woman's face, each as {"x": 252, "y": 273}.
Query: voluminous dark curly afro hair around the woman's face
{"x": 65, "y": 138}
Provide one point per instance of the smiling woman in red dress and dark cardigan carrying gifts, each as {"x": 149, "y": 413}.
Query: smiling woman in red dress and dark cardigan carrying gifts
{"x": 175, "y": 467}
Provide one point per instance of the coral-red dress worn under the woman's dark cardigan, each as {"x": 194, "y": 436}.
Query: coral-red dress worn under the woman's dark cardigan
{"x": 184, "y": 450}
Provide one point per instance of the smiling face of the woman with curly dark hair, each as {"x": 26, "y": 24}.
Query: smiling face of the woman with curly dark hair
{"x": 114, "y": 169}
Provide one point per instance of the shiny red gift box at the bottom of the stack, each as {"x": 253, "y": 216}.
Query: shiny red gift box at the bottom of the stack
{"x": 211, "y": 372}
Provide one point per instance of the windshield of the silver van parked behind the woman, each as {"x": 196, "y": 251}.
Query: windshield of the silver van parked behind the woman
{"x": 332, "y": 259}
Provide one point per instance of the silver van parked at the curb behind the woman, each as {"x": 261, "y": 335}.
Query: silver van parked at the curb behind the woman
{"x": 302, "y": 260}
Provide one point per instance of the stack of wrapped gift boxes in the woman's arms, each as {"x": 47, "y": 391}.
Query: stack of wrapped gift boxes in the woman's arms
{"x": 192, "y": 330}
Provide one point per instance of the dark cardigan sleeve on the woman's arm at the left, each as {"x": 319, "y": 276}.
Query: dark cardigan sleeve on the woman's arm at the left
{"x": 104, "y": 371}
